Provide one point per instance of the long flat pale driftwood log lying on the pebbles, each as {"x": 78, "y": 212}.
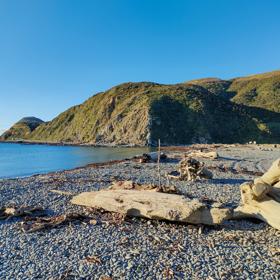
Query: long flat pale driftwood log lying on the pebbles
{"x": 153, "y": 205}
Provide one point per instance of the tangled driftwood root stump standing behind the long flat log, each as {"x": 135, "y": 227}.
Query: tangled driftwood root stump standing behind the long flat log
{"x": 191, "y": 169}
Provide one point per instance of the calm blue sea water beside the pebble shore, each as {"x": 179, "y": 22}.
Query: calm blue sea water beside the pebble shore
{"x": 18, "y": 160}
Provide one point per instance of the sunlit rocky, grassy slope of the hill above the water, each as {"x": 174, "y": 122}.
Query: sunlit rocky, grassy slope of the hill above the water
{"x": 118, "y": 116}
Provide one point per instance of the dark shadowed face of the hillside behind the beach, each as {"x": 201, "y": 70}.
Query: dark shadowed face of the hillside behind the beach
{"x": 197, "y": 116}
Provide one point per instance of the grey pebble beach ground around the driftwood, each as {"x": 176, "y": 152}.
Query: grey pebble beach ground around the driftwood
{"x": 139, "y": 248}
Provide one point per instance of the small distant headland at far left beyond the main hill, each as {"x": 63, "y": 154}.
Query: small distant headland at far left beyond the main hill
{"x": 22, "y": 129}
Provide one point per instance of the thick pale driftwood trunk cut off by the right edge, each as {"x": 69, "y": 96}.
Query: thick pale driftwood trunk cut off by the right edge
{"x": 261, "y": 198}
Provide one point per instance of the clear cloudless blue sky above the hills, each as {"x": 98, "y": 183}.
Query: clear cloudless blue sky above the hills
{"x": 57, "y": 53}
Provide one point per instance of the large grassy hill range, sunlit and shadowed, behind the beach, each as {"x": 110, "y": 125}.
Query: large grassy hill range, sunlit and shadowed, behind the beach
{"x": 199, "y": 111}
